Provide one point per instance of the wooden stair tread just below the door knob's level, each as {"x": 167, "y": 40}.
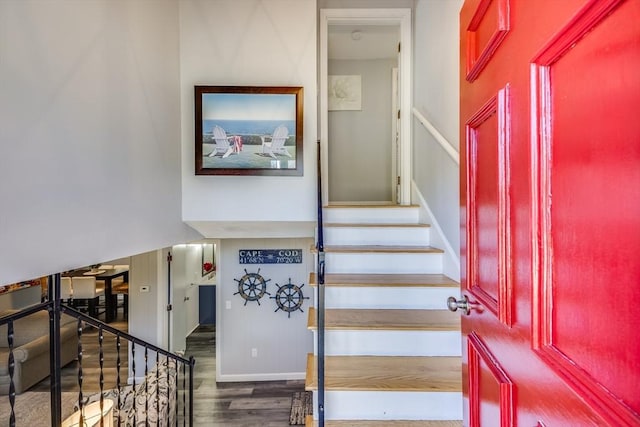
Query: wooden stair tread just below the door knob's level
{"x": 386, "y": 319}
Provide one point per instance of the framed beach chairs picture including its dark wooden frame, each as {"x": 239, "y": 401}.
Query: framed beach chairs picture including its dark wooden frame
{"x": 248, "y": 130}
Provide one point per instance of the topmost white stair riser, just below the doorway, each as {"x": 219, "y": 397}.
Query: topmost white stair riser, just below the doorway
{"x": 375, "y": 215}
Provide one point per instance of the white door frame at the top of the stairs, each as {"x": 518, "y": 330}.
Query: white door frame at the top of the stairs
{"x": 402, "y": 18}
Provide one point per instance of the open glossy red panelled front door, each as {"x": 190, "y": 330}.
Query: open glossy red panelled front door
{"x": 550, "y": 196}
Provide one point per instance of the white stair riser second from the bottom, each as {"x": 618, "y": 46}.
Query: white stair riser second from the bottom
{"x": 391, "y": 343}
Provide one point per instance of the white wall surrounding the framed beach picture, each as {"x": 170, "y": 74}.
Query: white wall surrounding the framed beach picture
{"x": 248, "y": 43}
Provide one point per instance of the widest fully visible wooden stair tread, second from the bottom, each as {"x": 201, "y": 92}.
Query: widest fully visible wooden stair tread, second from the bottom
{"x": 387, "y": 373}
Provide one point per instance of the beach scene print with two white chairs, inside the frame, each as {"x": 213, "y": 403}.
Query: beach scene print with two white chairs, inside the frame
{"x": 249, "y": 131}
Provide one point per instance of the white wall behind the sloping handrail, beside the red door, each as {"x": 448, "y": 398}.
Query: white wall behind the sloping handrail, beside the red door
{"x": 436, "y": 96}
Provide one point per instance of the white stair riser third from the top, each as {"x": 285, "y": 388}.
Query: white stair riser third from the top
{"x": 401, "y": 263}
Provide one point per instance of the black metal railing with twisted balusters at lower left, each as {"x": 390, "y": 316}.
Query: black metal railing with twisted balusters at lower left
{"x": 161, "y": 388}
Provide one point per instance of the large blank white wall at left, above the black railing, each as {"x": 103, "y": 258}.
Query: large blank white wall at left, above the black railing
{"x": 89, "y": 133}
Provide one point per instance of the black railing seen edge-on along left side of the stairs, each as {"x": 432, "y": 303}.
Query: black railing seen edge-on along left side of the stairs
{"x": 320, "y": 279}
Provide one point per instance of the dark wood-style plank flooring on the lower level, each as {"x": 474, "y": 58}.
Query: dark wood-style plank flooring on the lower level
{"x": 263, "y": 404}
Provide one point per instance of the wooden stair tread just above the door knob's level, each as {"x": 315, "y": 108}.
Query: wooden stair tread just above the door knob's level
{"x": 385, "y": 280}
